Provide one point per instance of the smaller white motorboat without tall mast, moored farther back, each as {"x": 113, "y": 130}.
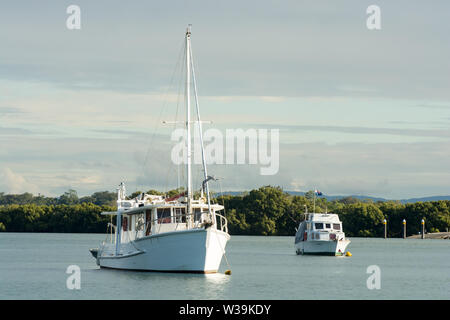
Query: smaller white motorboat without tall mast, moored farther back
{"x": 321, "y": 234}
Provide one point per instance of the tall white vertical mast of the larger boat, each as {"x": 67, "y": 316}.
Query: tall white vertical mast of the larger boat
{"x": 188, "y": 118}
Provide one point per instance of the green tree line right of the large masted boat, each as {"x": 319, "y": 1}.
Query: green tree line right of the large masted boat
{"x": 270, "y": 211}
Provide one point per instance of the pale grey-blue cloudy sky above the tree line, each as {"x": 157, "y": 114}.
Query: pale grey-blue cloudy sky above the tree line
{"x": 359, "y": 111}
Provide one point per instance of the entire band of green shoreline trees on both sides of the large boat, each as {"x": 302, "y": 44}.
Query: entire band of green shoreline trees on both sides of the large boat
{"x": 264, "y": 211}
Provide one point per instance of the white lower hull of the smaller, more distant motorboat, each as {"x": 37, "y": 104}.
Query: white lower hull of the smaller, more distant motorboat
{"x": 322, "y": 247}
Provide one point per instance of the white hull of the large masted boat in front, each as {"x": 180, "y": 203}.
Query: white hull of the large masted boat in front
{"x": 194, "y": 250}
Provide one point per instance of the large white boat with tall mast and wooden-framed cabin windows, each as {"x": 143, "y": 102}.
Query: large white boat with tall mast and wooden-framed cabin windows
{"x": 178, "y": 234}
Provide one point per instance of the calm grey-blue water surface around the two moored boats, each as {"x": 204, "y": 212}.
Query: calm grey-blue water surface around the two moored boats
{"x": 32, "y": 266}
